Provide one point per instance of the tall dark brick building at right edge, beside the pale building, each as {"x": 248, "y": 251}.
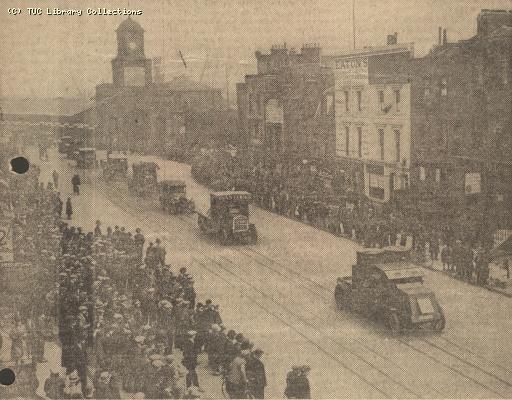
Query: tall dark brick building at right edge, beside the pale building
{"x": 461, "y": 124}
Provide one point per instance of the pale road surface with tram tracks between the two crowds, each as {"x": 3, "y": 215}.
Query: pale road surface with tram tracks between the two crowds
{"x": 279, "y": 293}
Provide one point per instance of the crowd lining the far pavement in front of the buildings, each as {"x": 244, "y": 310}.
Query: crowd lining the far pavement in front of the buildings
{"x": 302, "y": 192}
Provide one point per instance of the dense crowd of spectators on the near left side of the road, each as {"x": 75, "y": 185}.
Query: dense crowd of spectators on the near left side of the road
{"x": 126, "y": 321}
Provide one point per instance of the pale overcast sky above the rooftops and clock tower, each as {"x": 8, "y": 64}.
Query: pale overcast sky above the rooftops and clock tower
{"x": 49, "y": 56}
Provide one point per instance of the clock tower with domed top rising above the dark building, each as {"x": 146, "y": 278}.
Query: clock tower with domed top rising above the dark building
{"x": 130, "y": 67}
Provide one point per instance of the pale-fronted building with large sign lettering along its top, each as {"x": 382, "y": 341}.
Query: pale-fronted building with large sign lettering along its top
{"x": 372, "y": 108}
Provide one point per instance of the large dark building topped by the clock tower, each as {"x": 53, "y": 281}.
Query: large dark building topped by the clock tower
{"x": 136, "y": 113}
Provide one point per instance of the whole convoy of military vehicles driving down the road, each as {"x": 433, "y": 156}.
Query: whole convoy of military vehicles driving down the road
{"x": 384, "y": 285}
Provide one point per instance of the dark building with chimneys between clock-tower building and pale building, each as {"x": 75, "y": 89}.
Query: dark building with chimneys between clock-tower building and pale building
{"x": 287, "y": 108}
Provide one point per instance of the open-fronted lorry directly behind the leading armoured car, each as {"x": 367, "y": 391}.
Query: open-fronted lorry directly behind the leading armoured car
{"x": 228, "y": 218}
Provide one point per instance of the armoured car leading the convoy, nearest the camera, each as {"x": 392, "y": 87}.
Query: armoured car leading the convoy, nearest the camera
{"x": 386, "y": 285}
